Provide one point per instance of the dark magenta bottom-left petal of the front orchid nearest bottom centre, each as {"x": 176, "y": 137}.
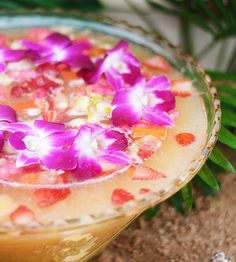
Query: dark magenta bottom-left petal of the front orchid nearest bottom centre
{"x": 87, "y": 168}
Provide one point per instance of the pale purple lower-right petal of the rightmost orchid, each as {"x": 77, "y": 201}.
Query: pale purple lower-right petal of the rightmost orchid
{"x": 157, "y": 117}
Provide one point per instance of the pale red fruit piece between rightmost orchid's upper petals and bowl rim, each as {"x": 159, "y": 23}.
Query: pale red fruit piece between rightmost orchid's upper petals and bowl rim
{"x": 182, "y": 87}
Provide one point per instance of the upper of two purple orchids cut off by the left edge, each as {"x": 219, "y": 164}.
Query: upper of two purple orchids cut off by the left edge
{"x": 9, "y": 55}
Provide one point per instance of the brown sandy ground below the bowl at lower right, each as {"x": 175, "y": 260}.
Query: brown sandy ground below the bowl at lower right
{"x": 171, "y": 237}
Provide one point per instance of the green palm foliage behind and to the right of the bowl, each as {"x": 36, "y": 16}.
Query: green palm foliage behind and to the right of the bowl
{"x": 218, "y": 19}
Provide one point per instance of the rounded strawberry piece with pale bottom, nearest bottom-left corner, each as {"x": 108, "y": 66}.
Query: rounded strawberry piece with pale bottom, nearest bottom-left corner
{"x": 22, "y": 215}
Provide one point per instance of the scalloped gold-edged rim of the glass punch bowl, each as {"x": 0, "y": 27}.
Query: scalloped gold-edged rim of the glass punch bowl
{"x": 153, "y": 198}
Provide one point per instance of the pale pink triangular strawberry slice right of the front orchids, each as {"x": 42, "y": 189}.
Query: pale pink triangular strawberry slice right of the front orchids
{"x": 146, "y": 173}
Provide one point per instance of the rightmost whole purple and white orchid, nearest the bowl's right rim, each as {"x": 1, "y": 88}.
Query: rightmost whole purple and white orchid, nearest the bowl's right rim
{"x": 150, "y": 101}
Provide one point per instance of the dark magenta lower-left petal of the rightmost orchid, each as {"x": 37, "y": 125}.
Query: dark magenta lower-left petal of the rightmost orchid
{"x": 124, "y": 115}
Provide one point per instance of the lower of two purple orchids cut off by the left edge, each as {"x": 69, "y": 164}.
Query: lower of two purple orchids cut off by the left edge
{"x": 7, "y": 114}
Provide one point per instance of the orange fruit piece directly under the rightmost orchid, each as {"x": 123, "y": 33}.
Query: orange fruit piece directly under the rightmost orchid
{"x": 141, "y": 131}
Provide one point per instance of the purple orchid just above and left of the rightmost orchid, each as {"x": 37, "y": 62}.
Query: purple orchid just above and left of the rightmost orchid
{"x": 117, "y": 65}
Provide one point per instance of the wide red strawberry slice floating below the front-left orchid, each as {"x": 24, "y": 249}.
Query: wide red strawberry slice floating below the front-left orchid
{"x": 46, "y": 197}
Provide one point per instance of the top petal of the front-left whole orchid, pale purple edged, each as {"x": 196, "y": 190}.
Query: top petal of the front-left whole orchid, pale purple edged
{"x": 47, "y": 128}
